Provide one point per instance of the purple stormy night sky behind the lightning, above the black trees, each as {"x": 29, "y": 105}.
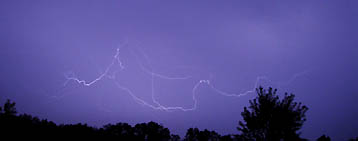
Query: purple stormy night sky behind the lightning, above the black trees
{"x": 304, "y": 47}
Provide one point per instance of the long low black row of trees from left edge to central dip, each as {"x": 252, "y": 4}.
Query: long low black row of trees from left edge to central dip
{"x": 13, "y": 125}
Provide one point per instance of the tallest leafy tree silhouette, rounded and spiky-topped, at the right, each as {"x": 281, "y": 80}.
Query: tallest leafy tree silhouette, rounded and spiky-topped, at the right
{"x": 269, "y": 118}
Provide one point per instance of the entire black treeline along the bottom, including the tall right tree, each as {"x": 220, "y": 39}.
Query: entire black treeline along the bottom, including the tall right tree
{"x": 266, "y": 119}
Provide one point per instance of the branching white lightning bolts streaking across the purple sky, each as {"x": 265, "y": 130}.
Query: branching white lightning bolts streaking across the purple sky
{"x": 157, "y": 105}
